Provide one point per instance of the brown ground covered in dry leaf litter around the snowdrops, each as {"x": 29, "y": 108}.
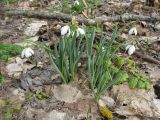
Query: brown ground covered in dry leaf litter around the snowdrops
{"x": 76, "y": 101}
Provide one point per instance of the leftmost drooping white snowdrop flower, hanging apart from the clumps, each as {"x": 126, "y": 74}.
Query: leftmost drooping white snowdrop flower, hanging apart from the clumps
{"x": 27, "y": 52}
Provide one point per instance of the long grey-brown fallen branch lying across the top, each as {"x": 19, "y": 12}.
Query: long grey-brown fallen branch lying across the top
{"x": 67, "y": 17}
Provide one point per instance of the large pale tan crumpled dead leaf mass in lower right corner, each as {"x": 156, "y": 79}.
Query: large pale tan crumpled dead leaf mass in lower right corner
{"x": 136, "y": 102}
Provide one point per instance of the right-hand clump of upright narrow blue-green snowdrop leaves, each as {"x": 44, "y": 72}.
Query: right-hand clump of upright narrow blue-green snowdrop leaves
{"x": 99, "y": 61}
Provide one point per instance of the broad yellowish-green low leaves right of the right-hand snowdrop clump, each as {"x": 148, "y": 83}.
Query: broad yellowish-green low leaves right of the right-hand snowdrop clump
{"x": 135, "y": 79}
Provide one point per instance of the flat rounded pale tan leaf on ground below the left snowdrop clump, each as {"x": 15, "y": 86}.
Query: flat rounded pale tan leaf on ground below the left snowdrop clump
{"x": 67, "y": 93}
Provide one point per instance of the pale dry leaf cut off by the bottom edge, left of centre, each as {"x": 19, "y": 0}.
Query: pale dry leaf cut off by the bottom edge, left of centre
{"x": 55, "y": 115}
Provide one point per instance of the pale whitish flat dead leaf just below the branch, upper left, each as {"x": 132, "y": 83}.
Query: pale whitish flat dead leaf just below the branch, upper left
{"x": 33, "y": 27}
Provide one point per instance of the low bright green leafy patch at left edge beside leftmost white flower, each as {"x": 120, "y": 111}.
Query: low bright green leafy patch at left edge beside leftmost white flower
{"x": 9, "y": 50}
